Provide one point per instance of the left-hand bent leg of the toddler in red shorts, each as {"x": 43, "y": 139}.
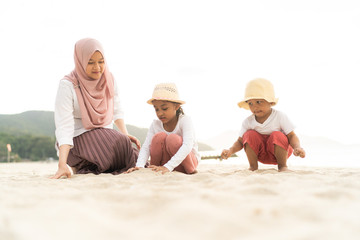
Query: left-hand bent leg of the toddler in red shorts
{"x": 253, "y": 143}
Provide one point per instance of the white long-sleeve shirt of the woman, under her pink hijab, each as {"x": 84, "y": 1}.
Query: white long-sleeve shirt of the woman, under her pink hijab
{"x": 68, "y": 116}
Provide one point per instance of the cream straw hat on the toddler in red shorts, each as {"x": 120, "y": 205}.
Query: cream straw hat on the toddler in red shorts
{"x": 258, "y": 88}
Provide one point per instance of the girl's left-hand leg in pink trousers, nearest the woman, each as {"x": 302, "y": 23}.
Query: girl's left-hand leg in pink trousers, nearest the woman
{"x": 158, "y": 153}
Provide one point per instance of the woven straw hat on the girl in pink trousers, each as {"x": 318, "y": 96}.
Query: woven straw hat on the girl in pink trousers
{"x": 166, "y": 92}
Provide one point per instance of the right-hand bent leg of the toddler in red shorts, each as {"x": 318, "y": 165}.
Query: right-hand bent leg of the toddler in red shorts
{"x": 278, "y": 144}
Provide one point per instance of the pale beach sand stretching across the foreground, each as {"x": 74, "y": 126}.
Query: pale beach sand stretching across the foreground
{"x": 223, "y": 201}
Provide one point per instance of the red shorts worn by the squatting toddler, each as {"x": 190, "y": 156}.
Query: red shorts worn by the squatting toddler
{"x": 264, "y": 145}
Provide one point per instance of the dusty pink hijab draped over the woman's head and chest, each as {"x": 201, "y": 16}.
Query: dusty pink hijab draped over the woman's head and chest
{"x": 95, "y": 97}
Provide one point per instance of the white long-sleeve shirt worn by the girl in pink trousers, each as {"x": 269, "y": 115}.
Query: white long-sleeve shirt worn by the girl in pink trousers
{"x": 185, "y": 129}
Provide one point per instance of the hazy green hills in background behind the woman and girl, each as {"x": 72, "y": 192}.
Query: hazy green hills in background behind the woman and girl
{"x": 32, "y": 135}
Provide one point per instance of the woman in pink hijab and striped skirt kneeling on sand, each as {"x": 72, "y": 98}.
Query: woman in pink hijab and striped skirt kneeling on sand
{"x": 87, "y": 103}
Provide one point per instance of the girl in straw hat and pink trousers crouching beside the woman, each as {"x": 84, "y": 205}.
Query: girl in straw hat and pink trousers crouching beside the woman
{"x": 170, "y": 141}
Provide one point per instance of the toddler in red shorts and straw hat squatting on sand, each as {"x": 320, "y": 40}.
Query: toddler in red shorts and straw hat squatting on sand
{"x": 267, "y": 135}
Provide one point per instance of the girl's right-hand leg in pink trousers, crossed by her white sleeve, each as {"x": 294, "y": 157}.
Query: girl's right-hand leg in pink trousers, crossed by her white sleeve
{"x": 189, "y": 164}
